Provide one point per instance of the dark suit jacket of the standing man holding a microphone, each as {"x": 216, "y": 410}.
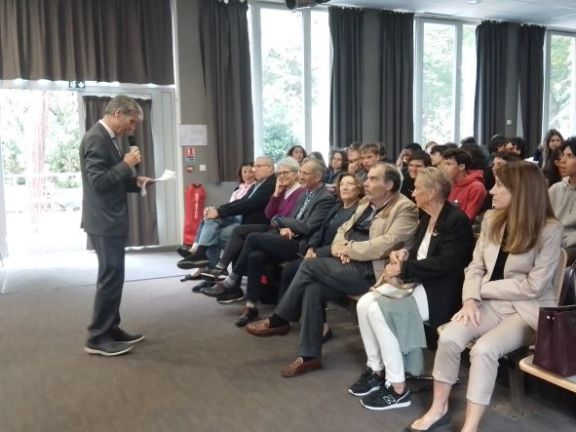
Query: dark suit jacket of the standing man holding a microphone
{"x": 105, "y": 181}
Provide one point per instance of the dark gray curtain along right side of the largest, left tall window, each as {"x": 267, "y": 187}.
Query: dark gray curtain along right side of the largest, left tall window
{"x": 346, "y": 92}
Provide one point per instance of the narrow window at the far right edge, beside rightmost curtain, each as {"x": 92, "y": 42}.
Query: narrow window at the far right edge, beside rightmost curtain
{"x": 560, "y": 104}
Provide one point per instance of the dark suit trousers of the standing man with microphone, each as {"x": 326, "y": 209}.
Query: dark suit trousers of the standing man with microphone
{"x": 106, "y": 315}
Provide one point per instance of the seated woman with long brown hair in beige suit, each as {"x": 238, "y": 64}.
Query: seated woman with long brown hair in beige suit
{"x": 509, "y": 279}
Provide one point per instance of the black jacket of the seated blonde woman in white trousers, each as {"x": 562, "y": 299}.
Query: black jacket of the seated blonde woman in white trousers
{"x": 442, "y": 271}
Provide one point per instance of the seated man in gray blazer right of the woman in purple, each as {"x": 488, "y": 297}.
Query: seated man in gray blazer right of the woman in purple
{"x": 291, "y": 234}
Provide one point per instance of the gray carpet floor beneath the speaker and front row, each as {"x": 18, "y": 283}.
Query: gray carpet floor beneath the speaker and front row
{"x": 195, "y": 371}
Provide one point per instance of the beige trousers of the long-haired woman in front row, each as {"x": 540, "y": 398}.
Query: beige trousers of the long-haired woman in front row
{"x": 501, "y": 331}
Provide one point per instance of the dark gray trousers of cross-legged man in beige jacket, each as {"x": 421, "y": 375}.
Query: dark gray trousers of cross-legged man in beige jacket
{"x": 317, "y": 281}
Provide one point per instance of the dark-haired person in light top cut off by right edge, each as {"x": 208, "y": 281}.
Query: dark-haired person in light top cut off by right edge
{"x": 563, "y": 197}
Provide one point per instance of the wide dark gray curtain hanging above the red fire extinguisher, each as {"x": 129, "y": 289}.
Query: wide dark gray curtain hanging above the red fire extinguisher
{"x": 226, "y": 60}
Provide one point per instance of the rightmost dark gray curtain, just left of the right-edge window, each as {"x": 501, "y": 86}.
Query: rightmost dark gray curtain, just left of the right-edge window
{"x": 531, "y": 82}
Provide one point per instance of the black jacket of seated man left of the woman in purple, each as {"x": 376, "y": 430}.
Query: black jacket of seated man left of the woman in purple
{"x": 251, "y": 208}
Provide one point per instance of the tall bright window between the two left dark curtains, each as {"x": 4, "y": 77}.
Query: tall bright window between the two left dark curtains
{"x": 291, "y": 79}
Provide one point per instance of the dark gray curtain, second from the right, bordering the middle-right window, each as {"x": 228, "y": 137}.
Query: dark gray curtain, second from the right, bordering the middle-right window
{"x": 490, "y": 102}
